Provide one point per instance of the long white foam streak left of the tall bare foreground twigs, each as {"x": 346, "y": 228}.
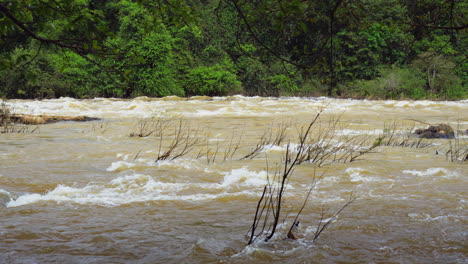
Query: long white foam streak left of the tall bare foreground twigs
{"x": 142, "y": 188}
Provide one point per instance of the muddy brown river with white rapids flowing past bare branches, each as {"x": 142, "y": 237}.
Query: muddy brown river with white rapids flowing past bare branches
{"x": 104, "y": 192}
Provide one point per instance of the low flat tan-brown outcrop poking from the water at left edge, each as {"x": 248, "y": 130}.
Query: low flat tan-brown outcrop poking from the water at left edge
{"x": 43, "y": 119}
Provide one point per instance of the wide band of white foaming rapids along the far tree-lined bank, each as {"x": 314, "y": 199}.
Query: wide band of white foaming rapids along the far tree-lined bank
{"x": 240, "y": 106}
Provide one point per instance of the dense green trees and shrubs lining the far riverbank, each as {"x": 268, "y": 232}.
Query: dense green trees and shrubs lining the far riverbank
{"x": 125, "y": 48}
